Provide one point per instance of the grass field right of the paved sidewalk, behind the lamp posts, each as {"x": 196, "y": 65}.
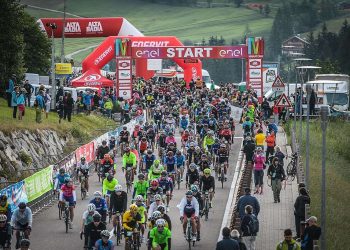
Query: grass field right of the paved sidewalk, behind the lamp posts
{"x": 337, "y": 182}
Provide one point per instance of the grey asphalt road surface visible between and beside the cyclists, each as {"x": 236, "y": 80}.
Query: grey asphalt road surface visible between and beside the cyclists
{"x": 49, "y": 232}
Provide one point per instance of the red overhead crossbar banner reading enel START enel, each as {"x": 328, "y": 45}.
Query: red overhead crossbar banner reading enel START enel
{"x": 214, "y": 52}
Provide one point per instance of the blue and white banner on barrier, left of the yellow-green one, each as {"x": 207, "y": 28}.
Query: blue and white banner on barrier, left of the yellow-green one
{"x": 15, "y": 193}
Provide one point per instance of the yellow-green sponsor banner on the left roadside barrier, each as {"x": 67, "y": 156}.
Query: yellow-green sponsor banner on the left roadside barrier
{"x": 39, "y": 183}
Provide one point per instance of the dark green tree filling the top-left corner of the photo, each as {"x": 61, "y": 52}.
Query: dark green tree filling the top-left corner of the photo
{"x": 11, "y": 39}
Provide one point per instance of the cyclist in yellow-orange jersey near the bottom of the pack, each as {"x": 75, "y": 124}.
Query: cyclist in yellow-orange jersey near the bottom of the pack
{"x": 131, "y": 221}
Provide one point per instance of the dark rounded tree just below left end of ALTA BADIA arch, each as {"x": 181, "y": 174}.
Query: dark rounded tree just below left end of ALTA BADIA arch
{"x": 37, "y": 47}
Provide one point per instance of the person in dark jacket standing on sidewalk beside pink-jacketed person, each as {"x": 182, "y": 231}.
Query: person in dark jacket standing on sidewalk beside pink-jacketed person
{"x": 277, "y": 175}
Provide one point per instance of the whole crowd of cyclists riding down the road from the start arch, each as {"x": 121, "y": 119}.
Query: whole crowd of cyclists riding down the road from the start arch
{"x": 155, "y": 165}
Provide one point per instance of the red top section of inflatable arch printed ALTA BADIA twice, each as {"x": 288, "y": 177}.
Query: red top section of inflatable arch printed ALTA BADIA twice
{"x": 82, "y": 27}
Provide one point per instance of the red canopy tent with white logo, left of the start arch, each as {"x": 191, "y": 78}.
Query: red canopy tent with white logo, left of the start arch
{"x": 92, "y": 79}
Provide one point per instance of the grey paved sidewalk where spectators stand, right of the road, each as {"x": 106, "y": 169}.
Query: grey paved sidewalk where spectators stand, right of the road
{"x": 274, "y": 218}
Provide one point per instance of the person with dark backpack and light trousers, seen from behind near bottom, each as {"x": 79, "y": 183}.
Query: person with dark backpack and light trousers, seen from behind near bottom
{"x": 249, "y": 228}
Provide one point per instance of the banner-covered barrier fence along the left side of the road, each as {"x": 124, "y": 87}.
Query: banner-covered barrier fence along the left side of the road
{"x": 37, "y": 189}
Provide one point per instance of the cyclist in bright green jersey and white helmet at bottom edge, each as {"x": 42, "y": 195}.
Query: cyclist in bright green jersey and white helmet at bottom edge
{"x": 160, "y": 236}
